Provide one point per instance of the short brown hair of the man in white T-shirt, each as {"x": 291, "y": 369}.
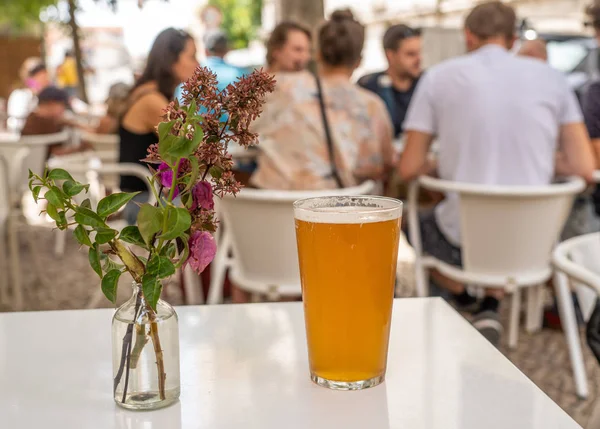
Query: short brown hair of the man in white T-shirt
{"x": 492, "y": 19}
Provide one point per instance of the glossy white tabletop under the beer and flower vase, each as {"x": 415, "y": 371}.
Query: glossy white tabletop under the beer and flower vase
{"x": 245, "y": 366}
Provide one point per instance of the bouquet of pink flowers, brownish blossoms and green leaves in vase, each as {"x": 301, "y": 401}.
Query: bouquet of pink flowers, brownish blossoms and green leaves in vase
{"x": 191, "y": 165}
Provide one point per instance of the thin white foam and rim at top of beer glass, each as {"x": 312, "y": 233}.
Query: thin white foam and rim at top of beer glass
{"x": 347, "y": 210}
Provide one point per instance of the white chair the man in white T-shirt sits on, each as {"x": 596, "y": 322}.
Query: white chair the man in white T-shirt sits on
{"x": 507, "y": 234}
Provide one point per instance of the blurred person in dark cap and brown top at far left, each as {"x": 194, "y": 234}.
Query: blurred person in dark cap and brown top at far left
{"x": 49, "y": 118}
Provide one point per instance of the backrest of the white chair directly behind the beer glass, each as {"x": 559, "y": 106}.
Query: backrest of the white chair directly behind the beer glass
{"x": 263, "y": 232}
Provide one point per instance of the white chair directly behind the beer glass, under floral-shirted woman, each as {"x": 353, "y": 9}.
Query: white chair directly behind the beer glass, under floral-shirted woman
{"x": 259, "y": 231}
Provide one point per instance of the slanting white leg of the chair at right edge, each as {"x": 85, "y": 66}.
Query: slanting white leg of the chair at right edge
{"x": 568, "y": 321}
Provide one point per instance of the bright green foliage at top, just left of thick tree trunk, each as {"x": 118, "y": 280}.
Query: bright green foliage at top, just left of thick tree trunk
{"x": 241, "y": 20}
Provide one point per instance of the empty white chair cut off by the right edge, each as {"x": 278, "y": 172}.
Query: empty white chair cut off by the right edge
{"x": 577, "y": 259}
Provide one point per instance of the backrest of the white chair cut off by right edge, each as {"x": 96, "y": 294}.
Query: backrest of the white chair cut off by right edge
{"x": 578, "y": 258}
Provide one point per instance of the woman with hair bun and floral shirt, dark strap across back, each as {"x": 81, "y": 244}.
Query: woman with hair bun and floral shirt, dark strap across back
{"x": 322, "y": 131}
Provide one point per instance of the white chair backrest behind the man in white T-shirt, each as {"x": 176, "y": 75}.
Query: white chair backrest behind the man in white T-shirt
{"x": 509, "y": 230}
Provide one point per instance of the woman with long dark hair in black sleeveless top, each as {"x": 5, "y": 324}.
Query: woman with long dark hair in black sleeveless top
{"x": 171, "y": 61}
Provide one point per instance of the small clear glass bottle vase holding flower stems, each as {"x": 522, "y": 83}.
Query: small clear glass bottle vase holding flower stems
{"x": 145, "y": 354}
